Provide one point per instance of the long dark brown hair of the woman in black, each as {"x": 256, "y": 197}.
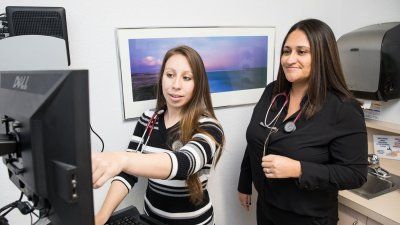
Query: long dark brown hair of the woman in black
{"x": 326, "y": 70}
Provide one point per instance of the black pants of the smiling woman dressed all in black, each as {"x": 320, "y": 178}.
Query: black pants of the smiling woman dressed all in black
{"x": 270, "y": 215}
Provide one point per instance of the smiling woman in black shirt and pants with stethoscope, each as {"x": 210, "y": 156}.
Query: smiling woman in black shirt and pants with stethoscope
{"x": 307, "y": 137}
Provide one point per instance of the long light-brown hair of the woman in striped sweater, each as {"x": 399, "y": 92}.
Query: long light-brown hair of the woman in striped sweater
{"x": 199, "y": 105}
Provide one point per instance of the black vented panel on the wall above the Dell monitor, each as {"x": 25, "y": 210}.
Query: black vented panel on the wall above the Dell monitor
{"x": 28, "y": 20}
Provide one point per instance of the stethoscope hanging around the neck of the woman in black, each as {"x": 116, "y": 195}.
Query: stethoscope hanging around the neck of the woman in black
{"x": 289, "y": 126}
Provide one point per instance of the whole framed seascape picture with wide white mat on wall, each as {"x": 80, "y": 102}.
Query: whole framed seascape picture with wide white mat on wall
{"x": 238, "y": 61}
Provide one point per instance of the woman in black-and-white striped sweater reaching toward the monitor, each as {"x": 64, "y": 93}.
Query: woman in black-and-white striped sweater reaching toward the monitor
{"x": 183, "y": 139}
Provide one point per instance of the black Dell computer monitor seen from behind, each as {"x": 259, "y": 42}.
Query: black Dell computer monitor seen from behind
{"x": 45, "y": 116}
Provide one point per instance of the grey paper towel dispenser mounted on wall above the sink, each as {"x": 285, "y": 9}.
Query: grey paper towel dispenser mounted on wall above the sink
{"x": 370, "y": 58}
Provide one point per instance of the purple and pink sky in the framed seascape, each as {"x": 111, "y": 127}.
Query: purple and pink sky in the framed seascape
{"x": 226, "y": 53}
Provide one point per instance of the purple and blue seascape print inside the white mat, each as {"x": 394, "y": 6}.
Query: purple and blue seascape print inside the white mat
{"x": 232, "y": 63}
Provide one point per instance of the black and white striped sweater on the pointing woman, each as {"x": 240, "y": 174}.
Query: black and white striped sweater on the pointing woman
{"x": 169, "y": 200}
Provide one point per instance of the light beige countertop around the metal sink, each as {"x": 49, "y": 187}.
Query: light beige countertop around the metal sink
{"x": 384, "y": 209}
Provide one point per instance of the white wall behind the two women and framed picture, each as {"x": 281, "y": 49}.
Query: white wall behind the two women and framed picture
{"x": 91, "y": 26}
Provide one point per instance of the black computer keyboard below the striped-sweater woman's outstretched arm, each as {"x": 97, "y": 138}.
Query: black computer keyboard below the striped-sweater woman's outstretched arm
{"x": 131, "y": 216}
